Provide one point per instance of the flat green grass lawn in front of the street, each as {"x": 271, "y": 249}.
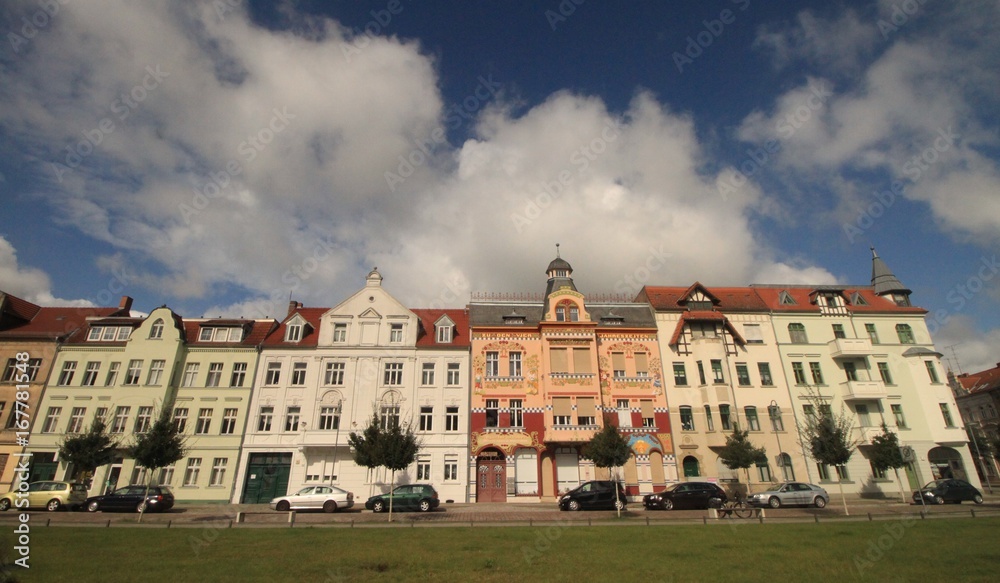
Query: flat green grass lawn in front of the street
{"x": 914, "y": 550}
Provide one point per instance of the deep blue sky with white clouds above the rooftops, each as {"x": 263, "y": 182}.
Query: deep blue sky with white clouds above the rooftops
{"x": 219, "y": 156}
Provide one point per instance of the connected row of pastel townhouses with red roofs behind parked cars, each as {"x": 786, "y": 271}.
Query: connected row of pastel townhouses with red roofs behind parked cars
{"x": 502, "y": 394}
